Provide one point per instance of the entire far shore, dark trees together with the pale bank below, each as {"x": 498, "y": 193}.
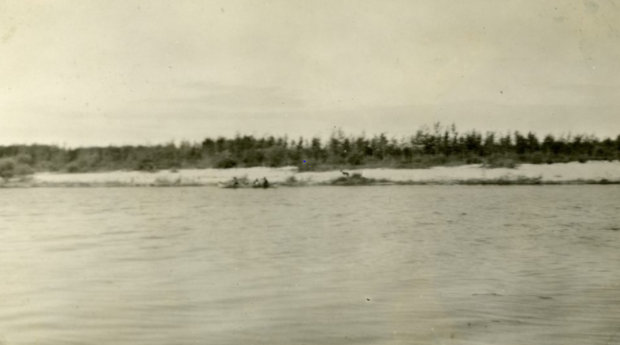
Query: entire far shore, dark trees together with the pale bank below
{"x": 431, "y": 149}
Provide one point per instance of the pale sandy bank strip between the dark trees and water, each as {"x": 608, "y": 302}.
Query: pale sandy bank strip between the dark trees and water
{"x": 590, "y": 172}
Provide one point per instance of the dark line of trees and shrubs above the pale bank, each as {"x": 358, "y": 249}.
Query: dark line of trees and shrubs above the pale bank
{"x": 428, "y": 146}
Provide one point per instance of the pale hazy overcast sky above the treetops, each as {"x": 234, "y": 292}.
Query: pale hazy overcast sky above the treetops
{"x": 104, "y": 72}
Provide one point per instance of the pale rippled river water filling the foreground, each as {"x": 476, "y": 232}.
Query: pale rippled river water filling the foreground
{"x": 322, "y": 265}
